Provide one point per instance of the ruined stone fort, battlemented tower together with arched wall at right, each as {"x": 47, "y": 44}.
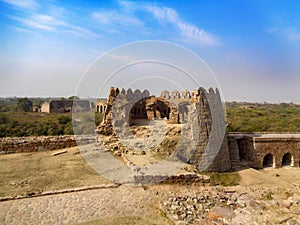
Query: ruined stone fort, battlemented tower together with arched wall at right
{"x": 204, "y": 141}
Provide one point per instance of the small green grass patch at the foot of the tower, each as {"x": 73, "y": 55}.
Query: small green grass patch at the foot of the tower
{"x": 224, "y": 179}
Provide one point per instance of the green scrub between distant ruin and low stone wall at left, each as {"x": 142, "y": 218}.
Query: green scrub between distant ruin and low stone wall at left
{"x": 17, "y": 124}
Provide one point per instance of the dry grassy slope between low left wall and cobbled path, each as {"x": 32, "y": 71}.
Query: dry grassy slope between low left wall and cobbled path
{"x": 24, "y": 173}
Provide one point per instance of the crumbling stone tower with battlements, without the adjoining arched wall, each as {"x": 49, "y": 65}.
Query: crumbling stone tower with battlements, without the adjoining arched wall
{"x": 203, "y": 141}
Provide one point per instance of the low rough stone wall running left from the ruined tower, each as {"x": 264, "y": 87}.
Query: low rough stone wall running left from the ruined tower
{"x": 43, "y": 143}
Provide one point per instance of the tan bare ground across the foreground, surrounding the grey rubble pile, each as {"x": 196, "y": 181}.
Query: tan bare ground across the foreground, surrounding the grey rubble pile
{"x": 269, "y": 196}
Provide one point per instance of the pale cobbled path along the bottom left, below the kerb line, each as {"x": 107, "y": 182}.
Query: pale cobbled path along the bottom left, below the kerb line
{"x": 77, "y": 207}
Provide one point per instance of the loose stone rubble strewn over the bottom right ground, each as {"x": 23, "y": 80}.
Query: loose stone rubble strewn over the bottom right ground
{"x": 228, "y": 206}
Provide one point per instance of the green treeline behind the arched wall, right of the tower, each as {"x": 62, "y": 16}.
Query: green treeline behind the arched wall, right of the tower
{"x": 254, "y": 117}
